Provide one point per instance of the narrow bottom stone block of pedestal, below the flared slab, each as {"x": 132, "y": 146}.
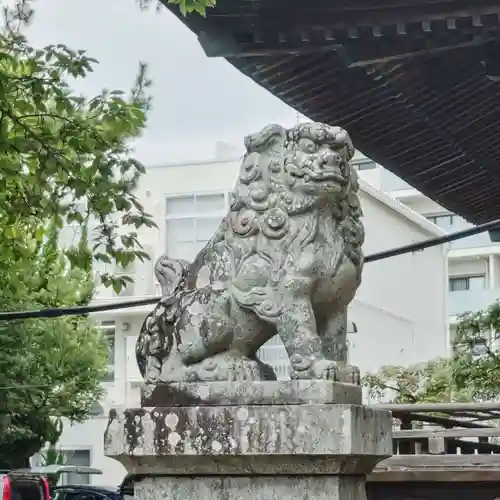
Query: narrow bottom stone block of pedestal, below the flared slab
{"x": 251, "y": 488}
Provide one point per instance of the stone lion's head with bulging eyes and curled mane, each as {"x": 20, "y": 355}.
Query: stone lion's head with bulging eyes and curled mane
{"x": 288, "y": 172}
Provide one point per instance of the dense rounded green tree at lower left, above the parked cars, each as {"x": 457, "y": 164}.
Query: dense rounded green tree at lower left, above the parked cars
{"x": 49, "y": 368}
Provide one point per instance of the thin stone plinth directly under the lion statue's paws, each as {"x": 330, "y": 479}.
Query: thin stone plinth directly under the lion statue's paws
{"x": 291, "y": 392}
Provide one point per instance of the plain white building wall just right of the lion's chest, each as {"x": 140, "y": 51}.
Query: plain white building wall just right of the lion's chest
{"x": 400, "y": 308}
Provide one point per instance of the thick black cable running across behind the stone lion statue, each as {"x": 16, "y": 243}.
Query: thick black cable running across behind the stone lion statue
{"x": 385, "y": 254}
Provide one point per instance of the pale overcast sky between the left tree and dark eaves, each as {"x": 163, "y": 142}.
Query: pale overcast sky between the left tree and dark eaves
{"x": 197, "y": 100}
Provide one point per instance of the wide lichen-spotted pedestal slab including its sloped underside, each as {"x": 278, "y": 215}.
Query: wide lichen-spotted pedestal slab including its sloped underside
{"x": 280, "y": 439}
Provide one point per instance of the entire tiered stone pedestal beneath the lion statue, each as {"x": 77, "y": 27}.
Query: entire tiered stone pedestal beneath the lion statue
{"x": 270, "y": 440}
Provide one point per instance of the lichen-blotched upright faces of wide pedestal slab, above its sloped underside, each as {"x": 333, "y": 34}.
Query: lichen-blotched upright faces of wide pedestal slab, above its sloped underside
{"x": 220, "y": 431}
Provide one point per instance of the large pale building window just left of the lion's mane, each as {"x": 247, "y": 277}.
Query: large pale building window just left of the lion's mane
{"x": 191, "y": 221}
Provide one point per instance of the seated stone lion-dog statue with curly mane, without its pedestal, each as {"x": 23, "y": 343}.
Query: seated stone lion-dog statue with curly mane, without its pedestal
{"x": 285, "y": 261}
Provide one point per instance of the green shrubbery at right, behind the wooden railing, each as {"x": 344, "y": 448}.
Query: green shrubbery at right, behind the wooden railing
{"x": 471, "y": 374}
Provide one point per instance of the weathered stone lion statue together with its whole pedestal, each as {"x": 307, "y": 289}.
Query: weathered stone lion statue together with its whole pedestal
{"x": 286, "y": 261}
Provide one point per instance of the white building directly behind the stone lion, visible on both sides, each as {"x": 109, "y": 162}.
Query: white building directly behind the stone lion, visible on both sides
{"x": 399, "y": 311}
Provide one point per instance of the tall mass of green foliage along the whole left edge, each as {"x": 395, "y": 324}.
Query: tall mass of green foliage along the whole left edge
{"x": 58, "y": 151}
